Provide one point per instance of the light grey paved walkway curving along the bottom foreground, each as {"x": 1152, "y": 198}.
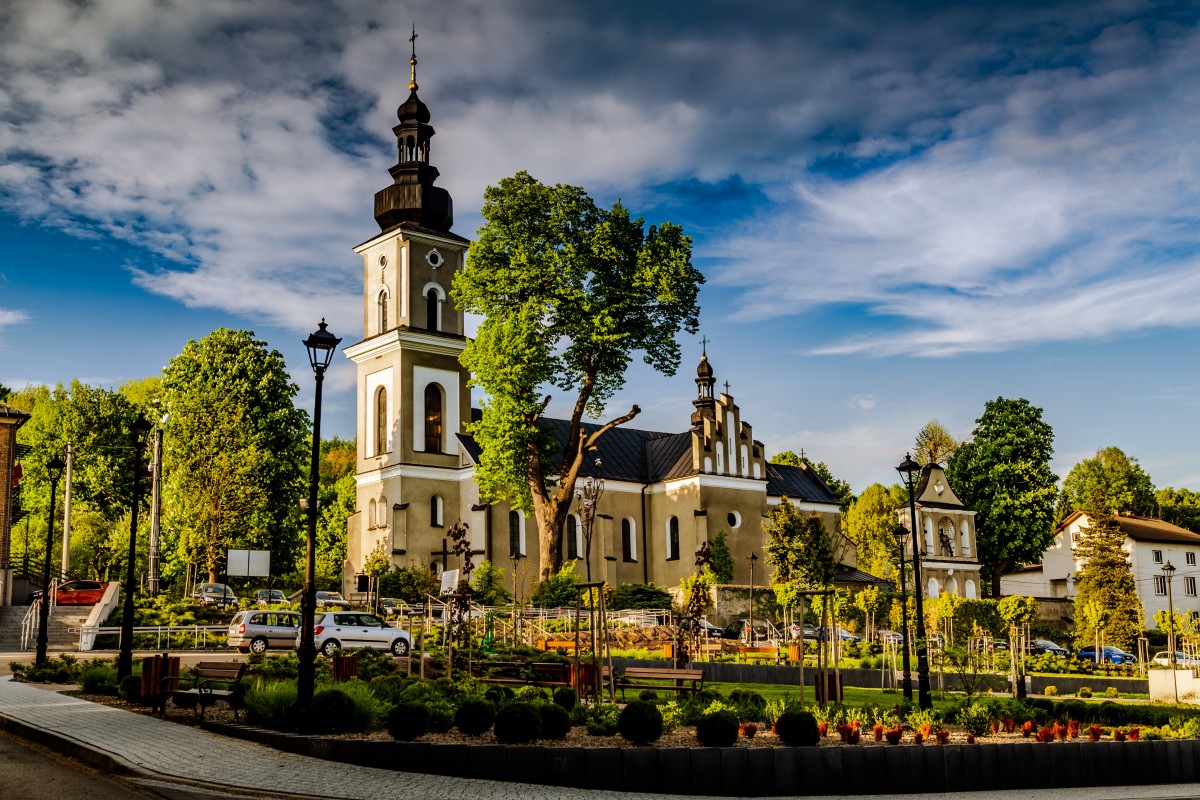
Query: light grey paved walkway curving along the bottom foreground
{"x": 155, "y": 749}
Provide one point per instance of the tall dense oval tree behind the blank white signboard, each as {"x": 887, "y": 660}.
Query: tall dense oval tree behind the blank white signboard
{"x": 236, "y": 449}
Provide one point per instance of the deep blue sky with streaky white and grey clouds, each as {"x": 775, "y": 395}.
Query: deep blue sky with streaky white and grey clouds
{"x": 903, "y": 210}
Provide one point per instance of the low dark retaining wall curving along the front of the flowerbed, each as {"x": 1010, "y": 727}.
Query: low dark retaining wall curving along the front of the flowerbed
{"x": 769, "y": 772}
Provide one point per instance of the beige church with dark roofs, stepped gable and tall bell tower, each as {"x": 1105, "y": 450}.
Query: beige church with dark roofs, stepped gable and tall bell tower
{"x": 665, "y": 492}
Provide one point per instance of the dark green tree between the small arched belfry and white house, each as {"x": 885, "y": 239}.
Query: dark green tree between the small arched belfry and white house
{"x": 1004, "y": 474}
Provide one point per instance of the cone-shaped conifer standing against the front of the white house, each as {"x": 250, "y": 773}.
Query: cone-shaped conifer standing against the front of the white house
{"x": 1106, "y": 594}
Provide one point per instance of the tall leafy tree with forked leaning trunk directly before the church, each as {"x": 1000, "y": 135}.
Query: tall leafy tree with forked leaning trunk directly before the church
{"x": 569, "y": 293}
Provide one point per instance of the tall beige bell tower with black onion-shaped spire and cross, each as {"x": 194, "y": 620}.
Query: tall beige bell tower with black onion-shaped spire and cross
{"x": 412, "y": 393}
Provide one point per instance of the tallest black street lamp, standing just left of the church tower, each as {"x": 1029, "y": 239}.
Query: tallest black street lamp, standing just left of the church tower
{"x": 321, "y": 346}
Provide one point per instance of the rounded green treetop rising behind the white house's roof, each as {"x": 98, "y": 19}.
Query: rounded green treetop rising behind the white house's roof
{"x": 1118, "y": 479}
